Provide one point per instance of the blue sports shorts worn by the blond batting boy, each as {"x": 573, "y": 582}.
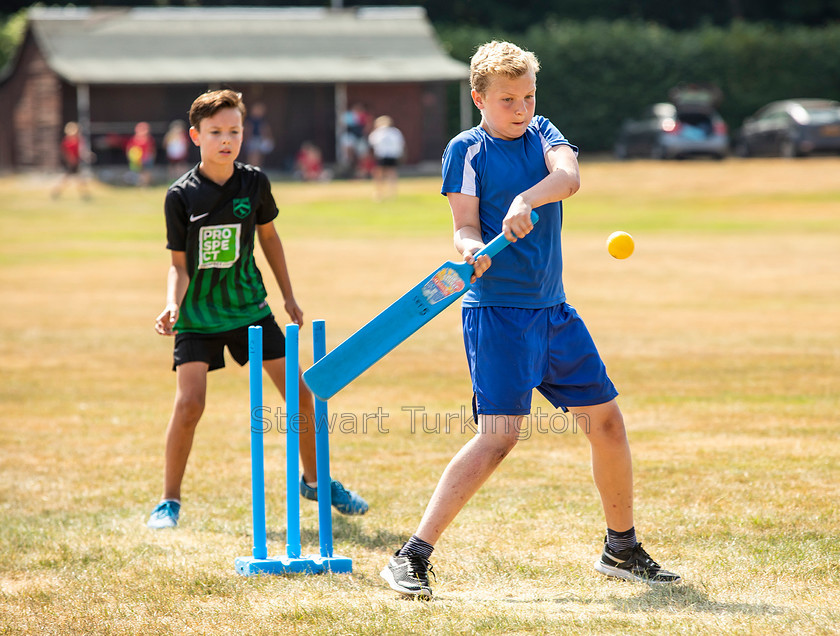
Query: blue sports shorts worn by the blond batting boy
{"x": 512, "y": 351}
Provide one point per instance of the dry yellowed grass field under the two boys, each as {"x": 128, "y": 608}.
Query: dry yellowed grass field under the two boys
{"x": 722, "y": 333}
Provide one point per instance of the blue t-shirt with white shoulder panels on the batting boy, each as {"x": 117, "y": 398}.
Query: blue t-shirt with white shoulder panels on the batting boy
{"x": 528, "y": 273}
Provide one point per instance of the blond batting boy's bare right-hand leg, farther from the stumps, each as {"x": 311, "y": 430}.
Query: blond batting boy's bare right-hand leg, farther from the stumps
{"x": 612, "y": 465}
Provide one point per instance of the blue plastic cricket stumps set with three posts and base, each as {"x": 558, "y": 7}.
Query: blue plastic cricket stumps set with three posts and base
{"x": 260, "y": 563}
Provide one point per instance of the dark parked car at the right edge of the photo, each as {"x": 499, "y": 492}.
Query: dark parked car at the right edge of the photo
{"x": 791, "y": 128}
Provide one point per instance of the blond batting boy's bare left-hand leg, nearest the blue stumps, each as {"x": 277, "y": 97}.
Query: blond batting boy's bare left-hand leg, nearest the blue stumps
{"x": 467, "y": 471}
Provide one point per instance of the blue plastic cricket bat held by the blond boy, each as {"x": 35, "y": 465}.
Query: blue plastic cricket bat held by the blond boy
{"x": 383, "y": 333}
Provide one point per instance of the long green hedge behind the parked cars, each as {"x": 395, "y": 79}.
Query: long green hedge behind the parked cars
{"x": 596, "y": 74}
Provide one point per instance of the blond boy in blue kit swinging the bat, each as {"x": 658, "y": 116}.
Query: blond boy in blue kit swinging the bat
{"x": 519, "y": 332}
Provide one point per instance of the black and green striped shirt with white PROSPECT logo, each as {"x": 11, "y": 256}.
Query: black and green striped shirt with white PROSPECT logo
{"x": 215, "y": 225}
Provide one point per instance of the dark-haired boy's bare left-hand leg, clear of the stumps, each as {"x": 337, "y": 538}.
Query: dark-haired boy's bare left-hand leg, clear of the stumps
{"x": 190, "y": 393}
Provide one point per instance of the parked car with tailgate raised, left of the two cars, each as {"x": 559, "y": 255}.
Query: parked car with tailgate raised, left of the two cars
{"x": 665, "y": 131}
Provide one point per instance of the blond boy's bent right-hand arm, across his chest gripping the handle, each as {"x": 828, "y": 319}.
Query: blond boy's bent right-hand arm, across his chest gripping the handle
{"x": 563, "y": 181}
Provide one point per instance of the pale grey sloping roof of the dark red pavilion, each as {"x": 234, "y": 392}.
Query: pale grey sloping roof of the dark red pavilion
{"x": 285, "y": 45}
